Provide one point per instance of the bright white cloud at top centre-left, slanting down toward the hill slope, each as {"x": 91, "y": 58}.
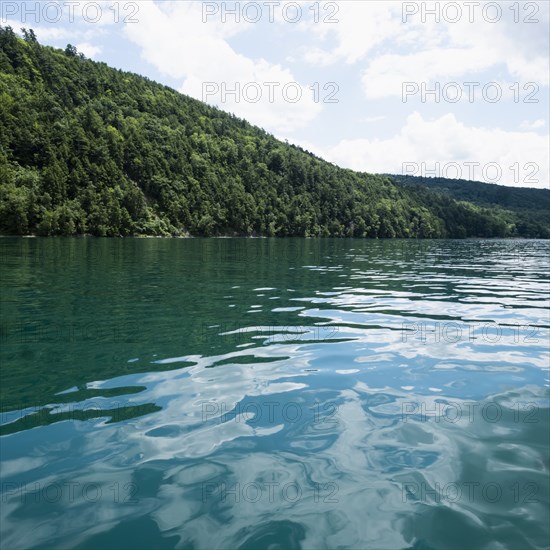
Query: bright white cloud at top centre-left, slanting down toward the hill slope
{"x": 173, "y": 38}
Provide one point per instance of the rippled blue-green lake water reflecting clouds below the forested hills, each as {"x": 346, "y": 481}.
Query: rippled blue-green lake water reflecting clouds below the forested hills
{"x": 266, "y": 394}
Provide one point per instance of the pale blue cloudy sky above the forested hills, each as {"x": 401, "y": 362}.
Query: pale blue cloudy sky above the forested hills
{"x": 444, "y": 89}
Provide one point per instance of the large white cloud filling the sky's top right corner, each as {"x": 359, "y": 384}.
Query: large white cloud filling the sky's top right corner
{"x": 391, "y": 51}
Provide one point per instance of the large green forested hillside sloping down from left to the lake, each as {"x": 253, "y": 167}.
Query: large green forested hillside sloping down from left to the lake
{"x": 86, "y": 149}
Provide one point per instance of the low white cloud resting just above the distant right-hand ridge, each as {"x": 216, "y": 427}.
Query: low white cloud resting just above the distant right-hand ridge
{"x": 446, "y": 140}
